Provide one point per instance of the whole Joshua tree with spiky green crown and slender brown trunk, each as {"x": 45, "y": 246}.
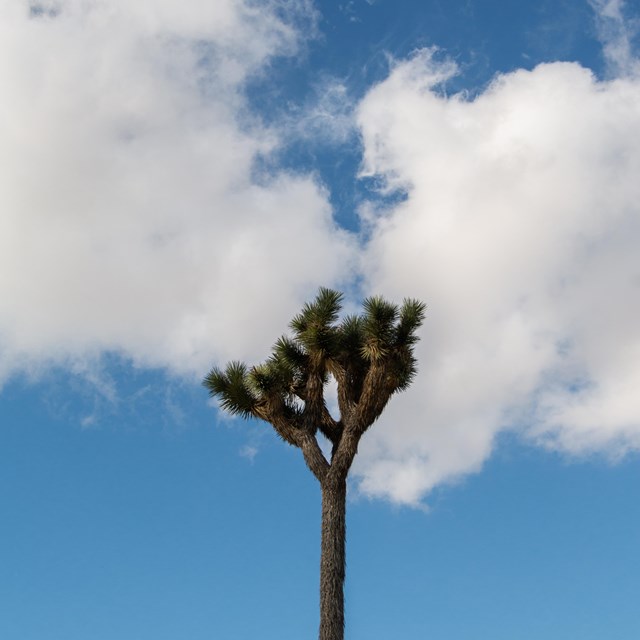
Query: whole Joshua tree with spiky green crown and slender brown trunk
{"x": 370, "y": 356}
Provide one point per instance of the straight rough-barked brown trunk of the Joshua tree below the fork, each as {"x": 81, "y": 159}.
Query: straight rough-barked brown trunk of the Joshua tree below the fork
{"x": 332, "y": 559}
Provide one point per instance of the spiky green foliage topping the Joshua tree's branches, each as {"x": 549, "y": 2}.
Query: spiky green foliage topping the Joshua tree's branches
{"x": 382, "y": 336}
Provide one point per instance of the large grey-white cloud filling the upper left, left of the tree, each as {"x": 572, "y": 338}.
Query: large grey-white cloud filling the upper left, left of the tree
{"x": 133, "y": 217}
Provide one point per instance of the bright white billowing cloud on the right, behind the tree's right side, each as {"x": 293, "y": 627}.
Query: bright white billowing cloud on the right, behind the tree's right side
{"x": 520, "y": 229}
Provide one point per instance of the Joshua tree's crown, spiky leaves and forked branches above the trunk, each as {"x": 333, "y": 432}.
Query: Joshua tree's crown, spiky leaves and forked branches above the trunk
{"x": 370, "y": 356}
